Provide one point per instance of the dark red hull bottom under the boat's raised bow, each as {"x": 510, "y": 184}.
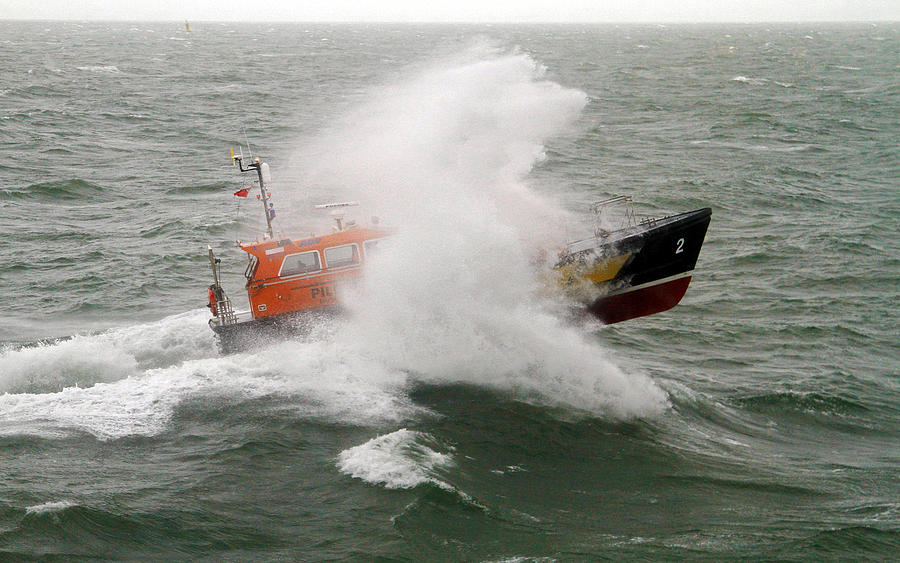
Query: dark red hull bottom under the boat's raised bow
{"x": 640, "y": 301}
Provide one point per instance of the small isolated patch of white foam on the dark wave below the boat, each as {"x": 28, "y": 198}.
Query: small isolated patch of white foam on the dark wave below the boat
{"x": 400, "y": 460}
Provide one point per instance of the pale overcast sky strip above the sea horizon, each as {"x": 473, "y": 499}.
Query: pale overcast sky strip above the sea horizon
{"x": 457, "y": 10}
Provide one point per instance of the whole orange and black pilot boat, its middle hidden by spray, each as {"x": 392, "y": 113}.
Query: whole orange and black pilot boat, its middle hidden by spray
{"x": 628, "y": 268}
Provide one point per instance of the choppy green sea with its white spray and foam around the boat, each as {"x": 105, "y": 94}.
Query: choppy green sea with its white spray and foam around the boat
{"x": 456, "y": 414}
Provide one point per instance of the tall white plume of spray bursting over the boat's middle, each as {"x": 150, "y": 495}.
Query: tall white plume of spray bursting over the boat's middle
{"x": 444, "y": 156}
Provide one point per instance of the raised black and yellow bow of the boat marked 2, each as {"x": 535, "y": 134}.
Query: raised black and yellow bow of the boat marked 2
{"x": 631, "y": 267}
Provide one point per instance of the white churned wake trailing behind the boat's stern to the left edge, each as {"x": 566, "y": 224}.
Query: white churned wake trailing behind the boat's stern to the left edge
{"x": 130, "y": 381}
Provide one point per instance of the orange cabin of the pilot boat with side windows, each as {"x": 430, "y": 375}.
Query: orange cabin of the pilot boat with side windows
{"x": 296, "y": 275}
